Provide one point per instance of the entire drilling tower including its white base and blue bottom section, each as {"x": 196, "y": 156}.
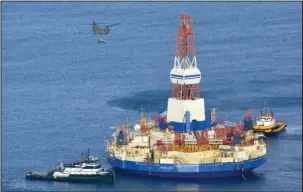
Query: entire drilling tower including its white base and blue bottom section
{"x": 186, "y": 110}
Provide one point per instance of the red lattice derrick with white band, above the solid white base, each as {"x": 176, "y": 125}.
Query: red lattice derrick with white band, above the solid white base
{"x": 185, "y": 75}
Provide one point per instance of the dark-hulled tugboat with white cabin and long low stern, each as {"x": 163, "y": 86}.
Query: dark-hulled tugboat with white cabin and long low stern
{"x": 86, "y": 170}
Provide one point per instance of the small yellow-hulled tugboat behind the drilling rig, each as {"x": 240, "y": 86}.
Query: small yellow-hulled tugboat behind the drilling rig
{"x": 266, "y": 123}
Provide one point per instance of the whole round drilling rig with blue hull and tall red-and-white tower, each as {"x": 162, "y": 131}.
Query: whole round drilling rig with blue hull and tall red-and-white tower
{"x": 185, "y": 140}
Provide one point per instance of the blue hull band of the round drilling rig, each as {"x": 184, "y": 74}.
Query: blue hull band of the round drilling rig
{"x": 205, "y": 171}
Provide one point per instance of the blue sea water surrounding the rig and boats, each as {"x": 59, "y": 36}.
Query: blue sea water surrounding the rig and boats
{"x": 62, "y": 91}
